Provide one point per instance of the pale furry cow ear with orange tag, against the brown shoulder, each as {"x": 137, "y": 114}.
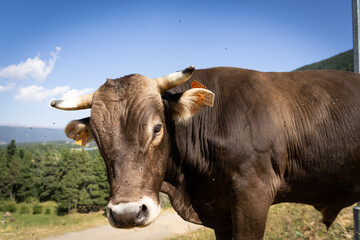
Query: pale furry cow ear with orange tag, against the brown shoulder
{"x": 192, "y": 102}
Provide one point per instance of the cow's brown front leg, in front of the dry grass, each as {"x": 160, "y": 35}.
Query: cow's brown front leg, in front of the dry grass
{"x": 251, "y": 201}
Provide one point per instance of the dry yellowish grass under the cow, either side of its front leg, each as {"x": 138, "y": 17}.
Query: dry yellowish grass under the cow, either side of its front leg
{"x": 294, "y": 221}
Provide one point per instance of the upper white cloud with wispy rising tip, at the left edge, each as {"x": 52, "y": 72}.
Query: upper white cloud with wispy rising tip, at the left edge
{"x": 33, "y": 68}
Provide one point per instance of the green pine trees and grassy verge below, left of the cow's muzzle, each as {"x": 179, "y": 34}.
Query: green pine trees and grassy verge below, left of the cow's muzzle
{"x": 49, "y": 189}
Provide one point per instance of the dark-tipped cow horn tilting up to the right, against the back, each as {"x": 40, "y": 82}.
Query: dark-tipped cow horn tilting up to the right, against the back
{"x": 174, "y": 79}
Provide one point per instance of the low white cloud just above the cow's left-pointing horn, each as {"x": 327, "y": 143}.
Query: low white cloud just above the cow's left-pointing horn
{"x": 38, "y": 94}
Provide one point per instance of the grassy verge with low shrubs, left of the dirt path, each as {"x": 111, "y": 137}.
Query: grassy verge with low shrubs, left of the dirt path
{"x": 38, "y": 220}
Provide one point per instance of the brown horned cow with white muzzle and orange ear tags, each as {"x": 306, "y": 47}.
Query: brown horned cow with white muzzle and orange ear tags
{"x": 270, "y": 138}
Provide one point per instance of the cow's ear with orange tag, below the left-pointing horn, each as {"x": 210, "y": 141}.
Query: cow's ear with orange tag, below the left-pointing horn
{"x": 79, "y": 130}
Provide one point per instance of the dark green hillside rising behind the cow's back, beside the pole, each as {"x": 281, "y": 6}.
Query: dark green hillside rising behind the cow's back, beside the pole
{"x": 343, "y": 61}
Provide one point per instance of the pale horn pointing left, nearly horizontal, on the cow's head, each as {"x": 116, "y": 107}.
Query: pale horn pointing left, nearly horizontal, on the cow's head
{"x": 76, "y": 103}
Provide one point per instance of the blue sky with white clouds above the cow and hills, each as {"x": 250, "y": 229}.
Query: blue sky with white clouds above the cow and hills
{"x": 55, "y": 49}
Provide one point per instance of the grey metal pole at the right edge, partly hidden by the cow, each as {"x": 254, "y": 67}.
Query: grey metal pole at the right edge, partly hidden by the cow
{"x": 356, "y": 38}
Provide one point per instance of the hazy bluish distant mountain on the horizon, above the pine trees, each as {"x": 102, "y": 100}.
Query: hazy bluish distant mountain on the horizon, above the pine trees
{"x": 30, "y": 134}
